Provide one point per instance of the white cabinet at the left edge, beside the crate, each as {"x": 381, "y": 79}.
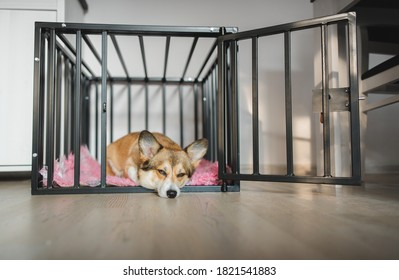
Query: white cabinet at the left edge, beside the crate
{"x": 17, "y": 20}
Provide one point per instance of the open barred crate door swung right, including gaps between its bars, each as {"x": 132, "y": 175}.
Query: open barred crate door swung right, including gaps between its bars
{"x": 271, "y": 122}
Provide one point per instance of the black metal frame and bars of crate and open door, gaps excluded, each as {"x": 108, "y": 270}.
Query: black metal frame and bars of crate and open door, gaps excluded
{"x": 218, "y": 90}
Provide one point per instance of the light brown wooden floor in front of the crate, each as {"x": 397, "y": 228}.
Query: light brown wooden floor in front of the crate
{"x": 263, "y": 221}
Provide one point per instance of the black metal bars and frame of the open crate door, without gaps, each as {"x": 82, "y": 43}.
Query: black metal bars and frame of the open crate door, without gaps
{"x": 286, "y": 29}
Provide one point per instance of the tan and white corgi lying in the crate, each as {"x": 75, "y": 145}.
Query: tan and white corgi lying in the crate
{"x": 154, "y": 161}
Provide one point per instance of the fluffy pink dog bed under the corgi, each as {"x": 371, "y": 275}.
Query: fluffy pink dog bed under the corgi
{"x": 206, "y": 173}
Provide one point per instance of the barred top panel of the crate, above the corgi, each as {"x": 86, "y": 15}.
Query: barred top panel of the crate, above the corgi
{"x": 140, "y": 53}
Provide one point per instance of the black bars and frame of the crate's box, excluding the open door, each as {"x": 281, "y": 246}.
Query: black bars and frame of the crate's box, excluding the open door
{"x": 78, "y": 80}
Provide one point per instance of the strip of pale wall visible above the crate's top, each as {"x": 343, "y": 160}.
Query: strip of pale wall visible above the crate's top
{"x": 244, "y": 14}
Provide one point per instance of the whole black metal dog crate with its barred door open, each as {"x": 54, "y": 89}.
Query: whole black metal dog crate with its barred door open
{"x": 76, "y": 105}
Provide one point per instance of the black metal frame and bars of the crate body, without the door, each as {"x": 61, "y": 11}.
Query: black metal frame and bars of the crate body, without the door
{"x": 51, "y": 44}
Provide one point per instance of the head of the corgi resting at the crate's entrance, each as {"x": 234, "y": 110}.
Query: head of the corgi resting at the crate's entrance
{"x": 167, "y": 169}
